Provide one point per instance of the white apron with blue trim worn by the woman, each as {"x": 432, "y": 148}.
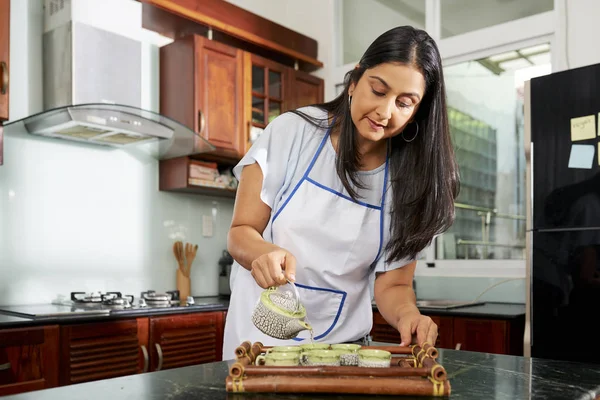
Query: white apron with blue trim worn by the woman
{"x": 336, "y": 242}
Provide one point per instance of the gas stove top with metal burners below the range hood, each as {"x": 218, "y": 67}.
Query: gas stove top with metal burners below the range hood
{"x": 107, "y": 303}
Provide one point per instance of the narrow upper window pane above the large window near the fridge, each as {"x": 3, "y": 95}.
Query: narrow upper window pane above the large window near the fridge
{"x": 461, "y": 16}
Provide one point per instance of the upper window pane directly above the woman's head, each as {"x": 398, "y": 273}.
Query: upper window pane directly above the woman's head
{"x": 364, "y": 20}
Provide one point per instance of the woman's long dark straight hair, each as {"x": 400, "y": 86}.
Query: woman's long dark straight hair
{"x": 423, "y": 173}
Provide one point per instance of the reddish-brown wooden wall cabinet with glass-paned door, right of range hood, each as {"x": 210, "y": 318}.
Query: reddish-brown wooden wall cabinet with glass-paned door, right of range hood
{"x": 221, "y": 92}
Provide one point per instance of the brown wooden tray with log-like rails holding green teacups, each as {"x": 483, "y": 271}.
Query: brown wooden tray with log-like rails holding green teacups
{"x": 414, "y": 371}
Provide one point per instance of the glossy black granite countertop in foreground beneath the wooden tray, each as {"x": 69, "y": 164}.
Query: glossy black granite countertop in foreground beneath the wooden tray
{"x": 472, "y": 376}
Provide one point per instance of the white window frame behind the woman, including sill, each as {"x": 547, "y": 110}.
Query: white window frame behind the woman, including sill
{"x": 547, "y": 27}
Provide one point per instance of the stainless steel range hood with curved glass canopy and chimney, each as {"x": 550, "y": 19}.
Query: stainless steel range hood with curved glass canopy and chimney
{"x": 92, "y": 90}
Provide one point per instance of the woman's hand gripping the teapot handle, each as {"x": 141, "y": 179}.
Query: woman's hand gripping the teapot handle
{"x": 274, "y": 268}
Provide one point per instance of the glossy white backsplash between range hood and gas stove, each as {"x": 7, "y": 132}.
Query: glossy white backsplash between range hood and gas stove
{"x": 80, "y": 218}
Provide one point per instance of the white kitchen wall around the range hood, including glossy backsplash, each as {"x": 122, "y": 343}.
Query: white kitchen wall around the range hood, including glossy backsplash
{"x": 78, "y": 218}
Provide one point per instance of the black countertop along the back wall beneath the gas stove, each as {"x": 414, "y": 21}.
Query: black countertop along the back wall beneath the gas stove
{"x": 22, "y": 315}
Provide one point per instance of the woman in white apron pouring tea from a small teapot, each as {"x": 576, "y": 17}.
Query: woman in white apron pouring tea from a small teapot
{"x": 338, "y": 195}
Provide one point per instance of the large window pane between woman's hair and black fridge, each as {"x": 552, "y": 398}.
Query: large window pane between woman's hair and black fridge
{"x": 485, "y": 110}
